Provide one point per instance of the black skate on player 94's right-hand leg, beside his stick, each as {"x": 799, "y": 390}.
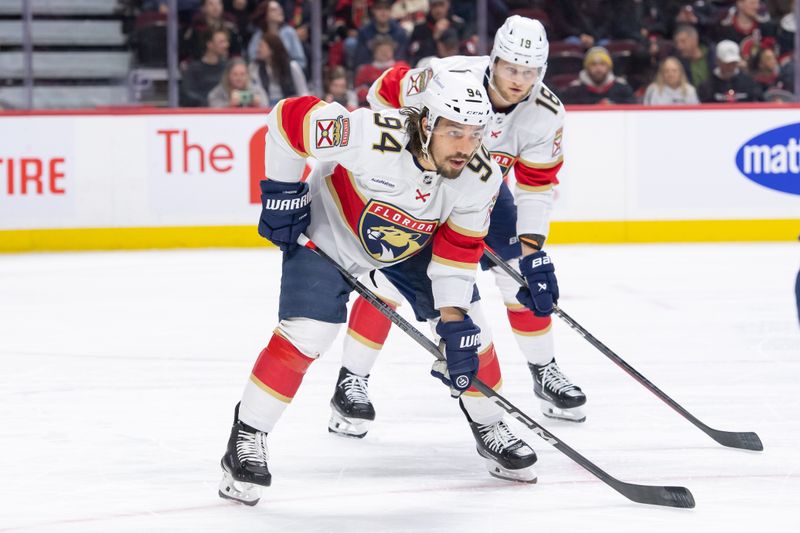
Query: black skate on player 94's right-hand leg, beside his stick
{"x": 506, "y": 455}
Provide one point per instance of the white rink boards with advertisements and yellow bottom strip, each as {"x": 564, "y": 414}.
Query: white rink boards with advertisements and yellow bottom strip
{"x": 160, "y": 179}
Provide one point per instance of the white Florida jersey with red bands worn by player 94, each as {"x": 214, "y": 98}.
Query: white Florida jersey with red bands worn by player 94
{"x": 373, "y": 205}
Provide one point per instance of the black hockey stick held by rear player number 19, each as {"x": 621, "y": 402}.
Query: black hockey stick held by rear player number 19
{"x": 744, "y": 440}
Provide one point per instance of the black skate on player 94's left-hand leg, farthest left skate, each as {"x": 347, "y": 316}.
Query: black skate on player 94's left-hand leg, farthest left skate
{"x": 244, "y": 465}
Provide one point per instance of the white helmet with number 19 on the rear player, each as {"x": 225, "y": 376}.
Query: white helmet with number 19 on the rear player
{"x": 521, "y": 41}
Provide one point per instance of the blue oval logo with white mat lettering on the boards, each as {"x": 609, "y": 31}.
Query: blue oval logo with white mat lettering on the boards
{"x": 772, "y": 159}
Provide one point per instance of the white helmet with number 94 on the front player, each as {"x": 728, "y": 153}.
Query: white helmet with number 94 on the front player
{"x": 458, "y": 96}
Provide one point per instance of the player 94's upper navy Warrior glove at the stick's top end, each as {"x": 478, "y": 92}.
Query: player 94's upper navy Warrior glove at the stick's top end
{"x": 285, "y": 212}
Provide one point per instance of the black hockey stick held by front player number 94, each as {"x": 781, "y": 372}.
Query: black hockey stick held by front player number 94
{"x": 654, "y": 495}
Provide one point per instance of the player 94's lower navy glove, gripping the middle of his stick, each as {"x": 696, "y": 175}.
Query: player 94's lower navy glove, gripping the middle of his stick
{"x": 461, "y": 339}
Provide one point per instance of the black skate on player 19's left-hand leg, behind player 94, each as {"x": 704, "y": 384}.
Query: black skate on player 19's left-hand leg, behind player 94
{"x": 351, "y": 410}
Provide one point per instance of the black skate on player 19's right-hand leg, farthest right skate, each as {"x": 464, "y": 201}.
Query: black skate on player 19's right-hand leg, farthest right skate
{"x": 560, "y": 398}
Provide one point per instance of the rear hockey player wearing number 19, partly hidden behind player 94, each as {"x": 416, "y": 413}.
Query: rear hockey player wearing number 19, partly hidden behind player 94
{"x": 524, "y": 136}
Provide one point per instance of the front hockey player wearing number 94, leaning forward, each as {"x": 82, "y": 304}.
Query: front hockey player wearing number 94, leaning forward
{"x": 409, "y": 192}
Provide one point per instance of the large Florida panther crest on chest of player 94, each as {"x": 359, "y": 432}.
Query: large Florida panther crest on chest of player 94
{"x": 389, "y": 235}
